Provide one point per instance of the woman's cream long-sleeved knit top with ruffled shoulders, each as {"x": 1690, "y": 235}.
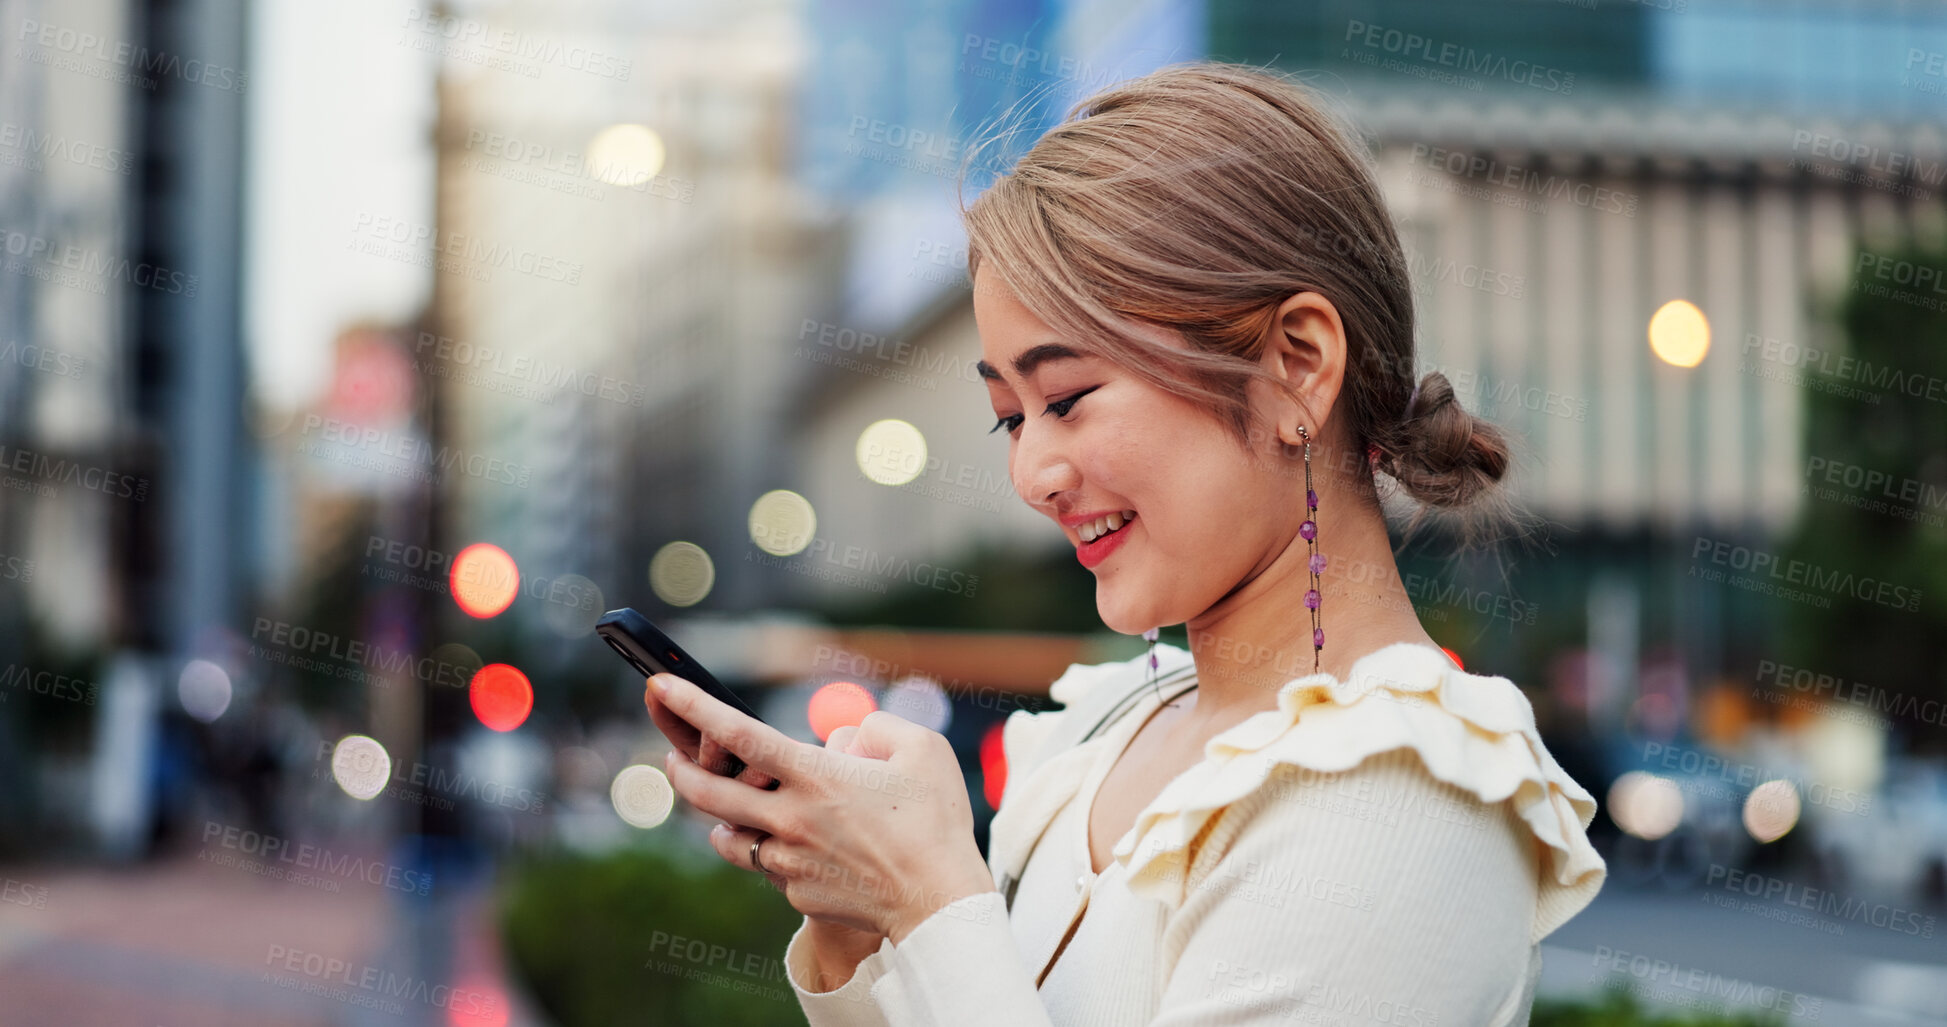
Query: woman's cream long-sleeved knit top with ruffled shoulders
{"x": 1381, "y": 851}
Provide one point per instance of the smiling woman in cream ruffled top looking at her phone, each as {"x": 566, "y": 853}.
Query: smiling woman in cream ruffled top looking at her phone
{"x": 1196, "y": 332}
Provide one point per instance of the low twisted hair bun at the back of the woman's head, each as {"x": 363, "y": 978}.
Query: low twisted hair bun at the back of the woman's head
{"x": 1446, "y": 457}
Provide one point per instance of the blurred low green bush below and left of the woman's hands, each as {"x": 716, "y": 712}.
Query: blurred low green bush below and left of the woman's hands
{"x": 591, "y": 938}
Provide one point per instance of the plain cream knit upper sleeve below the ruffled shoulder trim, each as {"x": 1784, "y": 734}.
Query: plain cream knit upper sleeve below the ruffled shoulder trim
{"x": 1370, "y": 888}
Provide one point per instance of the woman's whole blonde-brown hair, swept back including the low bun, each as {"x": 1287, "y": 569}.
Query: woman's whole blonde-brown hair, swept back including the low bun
{"x": 1200, "y": 198}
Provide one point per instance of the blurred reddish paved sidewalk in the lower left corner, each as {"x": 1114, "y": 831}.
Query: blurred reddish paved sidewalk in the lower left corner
{"x": 190, "y": 944}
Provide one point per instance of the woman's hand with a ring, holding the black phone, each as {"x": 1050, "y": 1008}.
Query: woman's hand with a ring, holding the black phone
{"x": 873, "y": 839}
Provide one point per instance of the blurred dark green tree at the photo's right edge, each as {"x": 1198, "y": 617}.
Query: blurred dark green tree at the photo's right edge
{"x": 1876, "y": 492}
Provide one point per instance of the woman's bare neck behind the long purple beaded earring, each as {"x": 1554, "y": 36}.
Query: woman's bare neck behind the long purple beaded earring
{"x": 1261, "y": 636}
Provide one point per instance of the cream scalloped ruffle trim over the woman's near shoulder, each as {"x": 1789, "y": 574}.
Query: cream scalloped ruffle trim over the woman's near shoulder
{"x": 1409, "y": 743}
